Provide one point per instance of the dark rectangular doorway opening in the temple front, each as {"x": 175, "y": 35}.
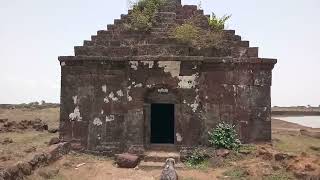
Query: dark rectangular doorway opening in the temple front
{"x": 162, "y": 123}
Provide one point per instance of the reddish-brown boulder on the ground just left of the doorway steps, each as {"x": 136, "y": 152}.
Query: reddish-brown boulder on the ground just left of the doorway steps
{"x": 127, "y": 160}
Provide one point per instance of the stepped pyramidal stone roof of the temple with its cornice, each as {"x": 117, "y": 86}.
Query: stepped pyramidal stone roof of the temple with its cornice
{"x": 119, "y": 43}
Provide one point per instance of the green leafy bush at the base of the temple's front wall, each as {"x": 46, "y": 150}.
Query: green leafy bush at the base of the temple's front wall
{"x": 224, "y": 136}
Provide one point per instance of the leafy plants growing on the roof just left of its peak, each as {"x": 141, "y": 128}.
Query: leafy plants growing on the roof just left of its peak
{"x": 142, "y": 16}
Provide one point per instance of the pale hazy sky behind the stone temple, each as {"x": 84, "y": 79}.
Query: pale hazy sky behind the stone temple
{"x": 34, "y": 33}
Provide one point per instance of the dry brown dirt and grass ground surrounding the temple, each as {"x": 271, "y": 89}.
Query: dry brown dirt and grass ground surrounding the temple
{"x": 286, "y": 138}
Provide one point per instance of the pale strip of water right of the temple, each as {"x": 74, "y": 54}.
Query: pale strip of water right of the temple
{"x": 309, "y": 121}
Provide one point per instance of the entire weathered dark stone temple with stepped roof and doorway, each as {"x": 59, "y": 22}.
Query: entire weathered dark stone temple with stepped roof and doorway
{"x": 126, "y": 90}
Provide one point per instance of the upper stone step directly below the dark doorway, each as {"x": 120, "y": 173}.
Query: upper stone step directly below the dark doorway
{"x": 161, "y": 156}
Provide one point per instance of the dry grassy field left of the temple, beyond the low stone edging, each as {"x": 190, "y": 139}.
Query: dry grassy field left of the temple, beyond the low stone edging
{"x": 26, "y": 139}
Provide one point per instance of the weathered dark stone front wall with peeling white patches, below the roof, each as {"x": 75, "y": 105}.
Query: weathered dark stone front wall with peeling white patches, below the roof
{"x": 106, "y": 104}
